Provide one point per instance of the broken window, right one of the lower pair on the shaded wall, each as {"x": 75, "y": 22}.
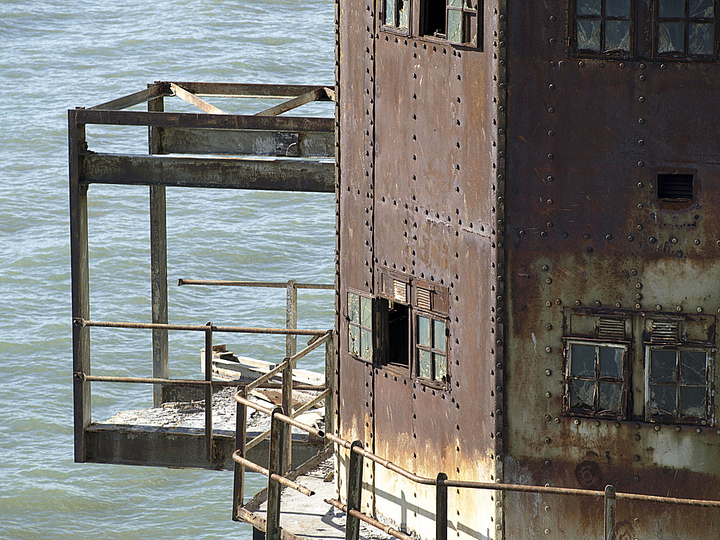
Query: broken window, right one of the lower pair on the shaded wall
{"x": 677, "y": 385}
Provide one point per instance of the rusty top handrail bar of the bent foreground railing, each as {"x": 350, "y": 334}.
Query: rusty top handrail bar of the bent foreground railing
{"x": 549, "y": 490}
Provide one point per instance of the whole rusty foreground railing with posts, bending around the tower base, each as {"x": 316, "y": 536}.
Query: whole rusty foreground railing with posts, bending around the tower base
{"x": 441, "y": 483}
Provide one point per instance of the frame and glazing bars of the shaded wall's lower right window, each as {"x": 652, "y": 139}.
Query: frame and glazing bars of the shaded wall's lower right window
{"x": 676, "y": 419}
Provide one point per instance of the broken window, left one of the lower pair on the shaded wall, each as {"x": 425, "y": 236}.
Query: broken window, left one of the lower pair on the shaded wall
{"x": 596, "y": 379}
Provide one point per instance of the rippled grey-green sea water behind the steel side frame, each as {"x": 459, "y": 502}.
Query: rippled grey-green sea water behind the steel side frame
{"x": 56, "y": 55}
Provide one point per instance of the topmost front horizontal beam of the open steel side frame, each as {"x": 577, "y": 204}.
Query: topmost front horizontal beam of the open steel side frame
{"x": 198, "y": 120}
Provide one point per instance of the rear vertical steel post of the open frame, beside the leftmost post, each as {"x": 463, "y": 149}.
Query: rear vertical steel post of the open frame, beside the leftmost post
{"x": 158, "y": 265}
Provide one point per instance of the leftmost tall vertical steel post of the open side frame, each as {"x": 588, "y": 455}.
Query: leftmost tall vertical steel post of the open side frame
{"x": 80, "y": 283}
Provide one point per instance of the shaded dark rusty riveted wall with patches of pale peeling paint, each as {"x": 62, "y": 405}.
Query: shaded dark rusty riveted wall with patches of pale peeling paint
{"x": 587, "y": 138}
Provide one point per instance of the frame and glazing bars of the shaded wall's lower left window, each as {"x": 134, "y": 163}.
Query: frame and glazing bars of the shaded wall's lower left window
{"x": 624, "y": 381}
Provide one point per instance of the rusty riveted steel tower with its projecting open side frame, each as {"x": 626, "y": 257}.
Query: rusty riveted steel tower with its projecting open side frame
{"x": 526, "y": 259}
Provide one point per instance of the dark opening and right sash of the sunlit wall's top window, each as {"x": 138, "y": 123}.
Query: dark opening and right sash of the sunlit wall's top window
{"x": 458, "y": 21}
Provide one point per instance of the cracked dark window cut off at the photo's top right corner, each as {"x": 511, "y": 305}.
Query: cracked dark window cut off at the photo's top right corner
{"x": 685, "y": 27}
